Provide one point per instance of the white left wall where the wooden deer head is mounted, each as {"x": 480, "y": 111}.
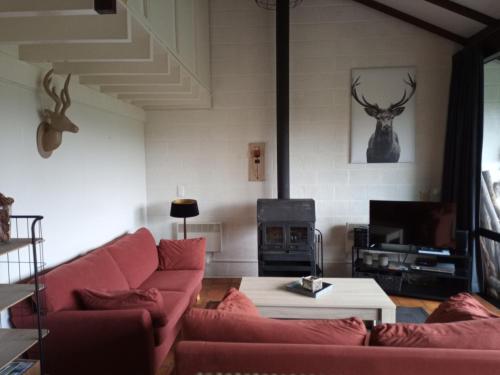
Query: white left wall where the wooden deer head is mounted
{"x": 93, "y": 188}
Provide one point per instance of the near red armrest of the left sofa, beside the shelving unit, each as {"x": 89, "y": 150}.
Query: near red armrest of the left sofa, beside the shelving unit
{"x": 100, "y": 342}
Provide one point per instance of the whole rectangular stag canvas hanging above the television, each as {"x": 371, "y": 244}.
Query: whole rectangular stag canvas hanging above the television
{"x": 383, "y": 115}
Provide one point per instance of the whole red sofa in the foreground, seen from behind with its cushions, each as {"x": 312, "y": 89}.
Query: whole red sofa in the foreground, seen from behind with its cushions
{"x": 238, "y": 340}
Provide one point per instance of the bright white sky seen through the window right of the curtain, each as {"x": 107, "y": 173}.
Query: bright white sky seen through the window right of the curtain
{"x": 491, "y": 142}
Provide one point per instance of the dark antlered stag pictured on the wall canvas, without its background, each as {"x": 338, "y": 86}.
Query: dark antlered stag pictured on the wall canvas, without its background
{"x": 383, "y": 146}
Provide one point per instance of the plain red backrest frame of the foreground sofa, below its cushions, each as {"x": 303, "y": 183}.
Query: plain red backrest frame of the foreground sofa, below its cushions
{"x": 196, "y": 357}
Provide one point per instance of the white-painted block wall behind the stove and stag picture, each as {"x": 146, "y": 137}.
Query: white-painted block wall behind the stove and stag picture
{"x": 206, "y": 150}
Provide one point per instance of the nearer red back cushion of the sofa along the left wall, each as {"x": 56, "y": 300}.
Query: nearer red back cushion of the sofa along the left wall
{"x": 96, "y": 270}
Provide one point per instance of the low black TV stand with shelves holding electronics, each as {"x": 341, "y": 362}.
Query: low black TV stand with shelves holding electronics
{"x": 451, "y": 275}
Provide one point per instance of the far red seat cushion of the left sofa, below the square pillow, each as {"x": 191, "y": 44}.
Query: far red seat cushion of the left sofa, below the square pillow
{"x": 177, "y": 280}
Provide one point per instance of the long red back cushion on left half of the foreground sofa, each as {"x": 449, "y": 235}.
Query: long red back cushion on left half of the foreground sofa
{"x": 214, "y": 325}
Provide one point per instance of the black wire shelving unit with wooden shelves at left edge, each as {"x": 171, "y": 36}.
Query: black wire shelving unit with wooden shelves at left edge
{"x": 22, "y": 259}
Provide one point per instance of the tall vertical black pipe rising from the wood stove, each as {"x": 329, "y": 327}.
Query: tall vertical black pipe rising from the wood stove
{"x": 282, "y": 97}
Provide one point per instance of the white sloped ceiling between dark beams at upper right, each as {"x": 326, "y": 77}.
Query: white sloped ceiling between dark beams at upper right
{"x": 444, "y": 18}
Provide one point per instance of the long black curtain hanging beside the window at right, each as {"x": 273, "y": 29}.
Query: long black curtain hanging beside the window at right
{"x": 463, "y": 147}
